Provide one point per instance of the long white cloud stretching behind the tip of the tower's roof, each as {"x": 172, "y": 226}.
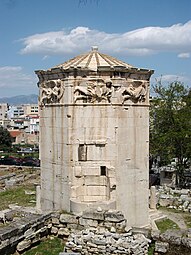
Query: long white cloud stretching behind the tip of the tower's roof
{"x": 143, "y": 41}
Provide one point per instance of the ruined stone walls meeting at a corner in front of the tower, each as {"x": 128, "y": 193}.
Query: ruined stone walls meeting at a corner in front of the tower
{"x": 94, "y": 232}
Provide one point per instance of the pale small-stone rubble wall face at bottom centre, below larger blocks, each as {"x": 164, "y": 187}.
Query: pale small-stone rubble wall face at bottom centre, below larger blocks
{"x": 95, "y": 242}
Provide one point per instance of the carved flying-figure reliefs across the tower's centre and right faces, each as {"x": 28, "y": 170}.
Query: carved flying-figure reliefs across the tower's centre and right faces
{"x": 105, "y": 91}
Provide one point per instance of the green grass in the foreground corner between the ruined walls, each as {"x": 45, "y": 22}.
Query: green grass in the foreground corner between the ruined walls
{"x": 51, "y": 246}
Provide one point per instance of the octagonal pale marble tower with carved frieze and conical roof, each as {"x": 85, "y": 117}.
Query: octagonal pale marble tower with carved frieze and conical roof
{"x": 94, "y": 136}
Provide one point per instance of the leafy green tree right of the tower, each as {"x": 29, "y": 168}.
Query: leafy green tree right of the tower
{"x": 170, "y": 125}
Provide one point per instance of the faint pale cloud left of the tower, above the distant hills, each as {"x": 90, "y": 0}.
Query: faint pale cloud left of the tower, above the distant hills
{"x": 14, "y": 77}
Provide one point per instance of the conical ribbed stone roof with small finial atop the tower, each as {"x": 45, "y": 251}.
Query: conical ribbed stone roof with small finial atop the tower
{"x": 93, "y": 60}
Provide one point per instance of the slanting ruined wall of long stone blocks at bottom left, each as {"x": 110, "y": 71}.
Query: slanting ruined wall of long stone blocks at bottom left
{"x": 19, "y": 235}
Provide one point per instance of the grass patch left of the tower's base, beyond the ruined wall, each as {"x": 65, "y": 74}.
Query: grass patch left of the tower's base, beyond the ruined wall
{"x": 17, "y": 196}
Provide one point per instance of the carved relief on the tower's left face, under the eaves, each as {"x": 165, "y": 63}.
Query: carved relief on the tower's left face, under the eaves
{"x": 50, "y": 92}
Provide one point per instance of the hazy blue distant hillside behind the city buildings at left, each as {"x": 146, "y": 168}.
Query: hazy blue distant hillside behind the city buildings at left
{"x": 22, "y": 99}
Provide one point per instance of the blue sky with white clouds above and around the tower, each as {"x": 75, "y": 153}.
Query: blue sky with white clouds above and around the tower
{"x": 40, "y": 34}
